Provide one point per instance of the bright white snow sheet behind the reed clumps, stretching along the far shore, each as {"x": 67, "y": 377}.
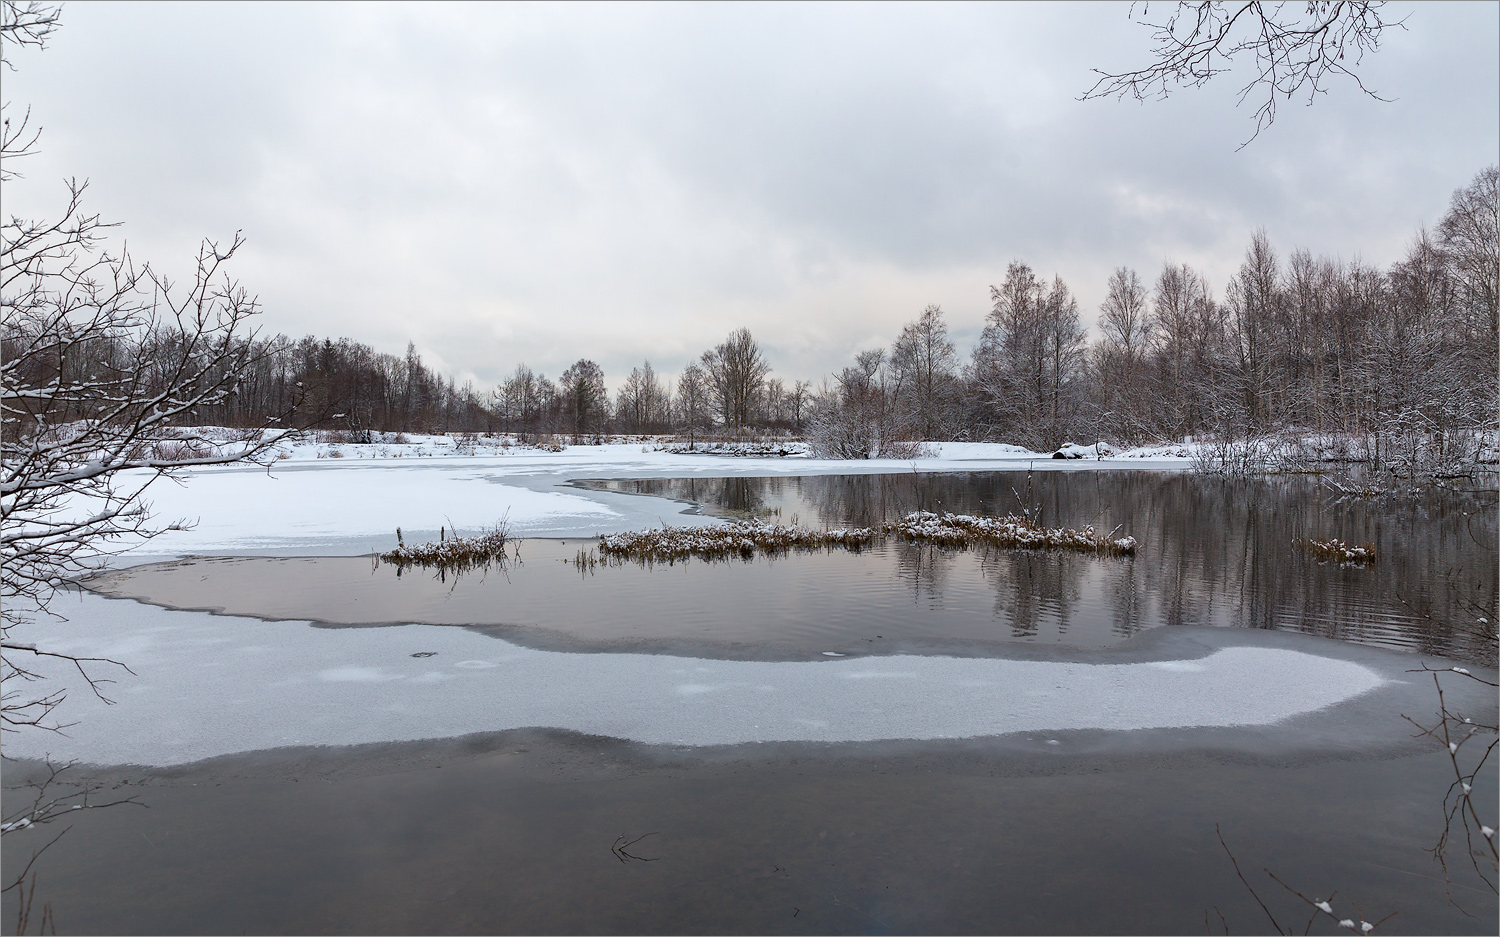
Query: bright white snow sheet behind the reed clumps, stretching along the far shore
{"x": 316, "y": 504}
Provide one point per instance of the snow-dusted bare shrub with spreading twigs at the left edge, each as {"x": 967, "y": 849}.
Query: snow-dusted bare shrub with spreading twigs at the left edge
{"x": 103, "y": 365}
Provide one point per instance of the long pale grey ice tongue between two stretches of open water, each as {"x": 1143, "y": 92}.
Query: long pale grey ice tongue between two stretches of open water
{"x": 214, "y": 686}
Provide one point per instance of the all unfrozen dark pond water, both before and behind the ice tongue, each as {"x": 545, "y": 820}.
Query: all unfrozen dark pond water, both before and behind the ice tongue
{"x": 512, "y": 833}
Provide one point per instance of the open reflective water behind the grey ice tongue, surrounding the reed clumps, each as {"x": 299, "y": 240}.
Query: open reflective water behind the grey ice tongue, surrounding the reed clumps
{"x": 1213, "y": 552}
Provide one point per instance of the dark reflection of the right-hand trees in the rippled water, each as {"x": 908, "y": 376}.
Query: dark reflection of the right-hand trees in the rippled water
{"x": 1213, "y": 551}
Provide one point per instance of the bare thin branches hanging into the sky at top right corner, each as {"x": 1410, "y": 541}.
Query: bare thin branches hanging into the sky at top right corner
{"x": 1295, "y": 49}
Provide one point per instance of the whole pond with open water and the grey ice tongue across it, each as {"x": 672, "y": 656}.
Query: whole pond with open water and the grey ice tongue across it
{"x": 899, "y": 740}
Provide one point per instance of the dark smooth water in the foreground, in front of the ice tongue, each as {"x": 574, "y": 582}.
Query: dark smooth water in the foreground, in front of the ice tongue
{"x": 514, "y": 834}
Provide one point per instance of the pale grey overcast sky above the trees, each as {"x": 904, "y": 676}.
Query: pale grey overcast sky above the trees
{"x": 506, "y": 184}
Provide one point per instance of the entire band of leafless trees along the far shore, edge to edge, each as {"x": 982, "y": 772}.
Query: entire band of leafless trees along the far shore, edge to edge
{"x": 1297, "y": 343}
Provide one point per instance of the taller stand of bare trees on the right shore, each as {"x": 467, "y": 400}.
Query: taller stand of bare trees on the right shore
{"x": 1300, "y": 344}
